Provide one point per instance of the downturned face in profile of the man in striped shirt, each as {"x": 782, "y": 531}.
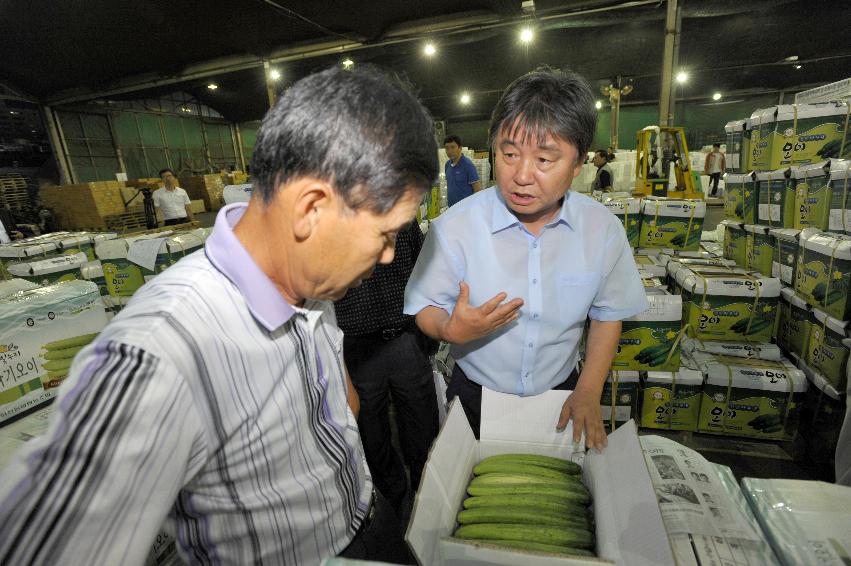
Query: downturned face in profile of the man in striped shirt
{"x": 350, "y": 244}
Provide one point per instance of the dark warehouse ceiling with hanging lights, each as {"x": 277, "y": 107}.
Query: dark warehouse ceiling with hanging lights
{"x": 73, "y": 51}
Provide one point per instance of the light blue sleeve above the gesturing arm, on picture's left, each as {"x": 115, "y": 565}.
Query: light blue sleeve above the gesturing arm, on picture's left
{"x": 434, "y": 281}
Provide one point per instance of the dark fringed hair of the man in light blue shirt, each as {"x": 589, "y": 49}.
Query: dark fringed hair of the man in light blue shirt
{"x": 547, "y": 101}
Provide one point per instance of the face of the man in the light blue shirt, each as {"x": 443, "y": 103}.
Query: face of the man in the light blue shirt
{"x": 533, "y": 176}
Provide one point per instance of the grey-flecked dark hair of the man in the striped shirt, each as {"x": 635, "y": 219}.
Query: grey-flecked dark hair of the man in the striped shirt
{"x": 361, "y": 131}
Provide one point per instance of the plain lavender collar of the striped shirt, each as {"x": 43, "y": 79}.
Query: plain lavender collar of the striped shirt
{"x": 228, "y": 255}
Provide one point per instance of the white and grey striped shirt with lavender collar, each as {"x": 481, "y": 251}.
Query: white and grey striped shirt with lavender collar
{"x": 208, "y": 401}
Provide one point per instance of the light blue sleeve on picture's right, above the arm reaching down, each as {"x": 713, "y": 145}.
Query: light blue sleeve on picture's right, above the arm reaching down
{"x": 621, "y": 293}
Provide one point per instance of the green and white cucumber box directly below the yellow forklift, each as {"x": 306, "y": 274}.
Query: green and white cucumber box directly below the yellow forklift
{"x": 674, "y": 224}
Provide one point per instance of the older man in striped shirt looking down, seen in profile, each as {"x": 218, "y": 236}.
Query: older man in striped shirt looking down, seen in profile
{"x": 218, "y": 398}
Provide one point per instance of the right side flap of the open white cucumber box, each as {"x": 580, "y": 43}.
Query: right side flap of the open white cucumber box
{"x": 634, "y": 534}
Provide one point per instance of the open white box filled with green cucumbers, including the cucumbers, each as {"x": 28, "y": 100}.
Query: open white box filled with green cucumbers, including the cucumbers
{"x": 524, "y": 494}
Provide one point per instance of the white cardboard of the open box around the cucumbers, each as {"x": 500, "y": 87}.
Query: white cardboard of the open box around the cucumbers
{"x": 628, "y": 521}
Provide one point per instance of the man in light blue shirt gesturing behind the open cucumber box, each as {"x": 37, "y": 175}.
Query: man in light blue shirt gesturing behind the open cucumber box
{"x": 561, "y": 256}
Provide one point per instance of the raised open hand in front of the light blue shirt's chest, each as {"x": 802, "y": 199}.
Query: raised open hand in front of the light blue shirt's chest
{"x": 469, "y": 323}
